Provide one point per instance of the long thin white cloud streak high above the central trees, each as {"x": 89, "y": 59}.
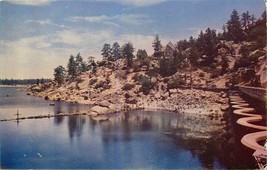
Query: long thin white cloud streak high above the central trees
{"x": 131, "y": 19}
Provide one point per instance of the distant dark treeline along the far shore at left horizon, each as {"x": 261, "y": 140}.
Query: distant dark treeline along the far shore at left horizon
{"x": 23, "y": 81}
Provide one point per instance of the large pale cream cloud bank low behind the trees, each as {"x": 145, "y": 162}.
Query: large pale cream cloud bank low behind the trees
{"x": 37, "y": 56}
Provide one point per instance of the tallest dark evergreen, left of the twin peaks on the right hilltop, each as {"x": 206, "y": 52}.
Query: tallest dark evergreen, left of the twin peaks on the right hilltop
{"x": 234, "y": 27}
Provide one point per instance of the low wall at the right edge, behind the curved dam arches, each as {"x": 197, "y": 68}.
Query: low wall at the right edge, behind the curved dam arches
{"x": 254, "y": 92}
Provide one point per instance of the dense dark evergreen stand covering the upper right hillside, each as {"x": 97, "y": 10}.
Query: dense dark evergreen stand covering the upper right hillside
{"x": 202, "y": 50}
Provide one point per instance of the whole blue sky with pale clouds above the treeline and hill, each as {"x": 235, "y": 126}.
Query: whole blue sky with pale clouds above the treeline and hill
{"x": 37, "y": 36}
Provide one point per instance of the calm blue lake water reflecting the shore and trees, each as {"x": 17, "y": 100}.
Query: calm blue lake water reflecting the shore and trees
{"x": 134, "y": 139}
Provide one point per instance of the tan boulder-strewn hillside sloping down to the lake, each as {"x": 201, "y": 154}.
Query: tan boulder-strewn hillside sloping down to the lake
{"x": 113, "y": 89}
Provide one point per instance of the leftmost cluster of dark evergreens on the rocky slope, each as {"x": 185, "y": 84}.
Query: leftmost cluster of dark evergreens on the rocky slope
{"x": 75, "y": 67}
